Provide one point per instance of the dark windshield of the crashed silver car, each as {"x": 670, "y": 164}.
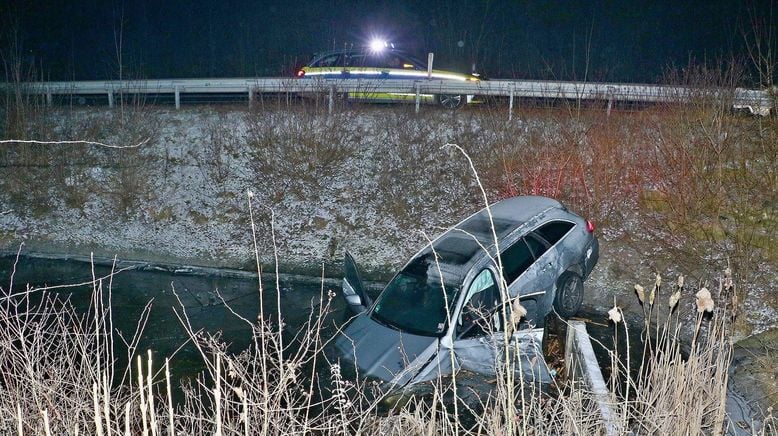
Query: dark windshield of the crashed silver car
{"x": 415, "y": 302}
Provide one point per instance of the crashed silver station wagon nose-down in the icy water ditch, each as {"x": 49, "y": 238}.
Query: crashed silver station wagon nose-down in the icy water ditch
{"x": 446, "y": 309}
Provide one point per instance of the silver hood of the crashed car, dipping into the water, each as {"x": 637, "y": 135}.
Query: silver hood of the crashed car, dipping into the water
{"x": 382, "y": 352}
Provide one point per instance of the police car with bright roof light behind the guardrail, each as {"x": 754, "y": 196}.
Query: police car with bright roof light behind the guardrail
{"x": 382, "y": 61}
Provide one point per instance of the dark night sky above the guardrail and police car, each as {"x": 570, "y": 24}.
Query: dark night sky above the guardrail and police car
{"x": 613, "y": 40}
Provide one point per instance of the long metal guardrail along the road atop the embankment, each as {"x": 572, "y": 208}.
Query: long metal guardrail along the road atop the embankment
{"x": 756, "y": 101}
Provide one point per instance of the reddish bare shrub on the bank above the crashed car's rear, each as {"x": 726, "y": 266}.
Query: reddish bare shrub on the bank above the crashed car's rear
{"x": 588, "y": 162}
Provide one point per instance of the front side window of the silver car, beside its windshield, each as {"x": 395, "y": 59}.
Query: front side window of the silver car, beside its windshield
{"x": 478, "y": 316}
